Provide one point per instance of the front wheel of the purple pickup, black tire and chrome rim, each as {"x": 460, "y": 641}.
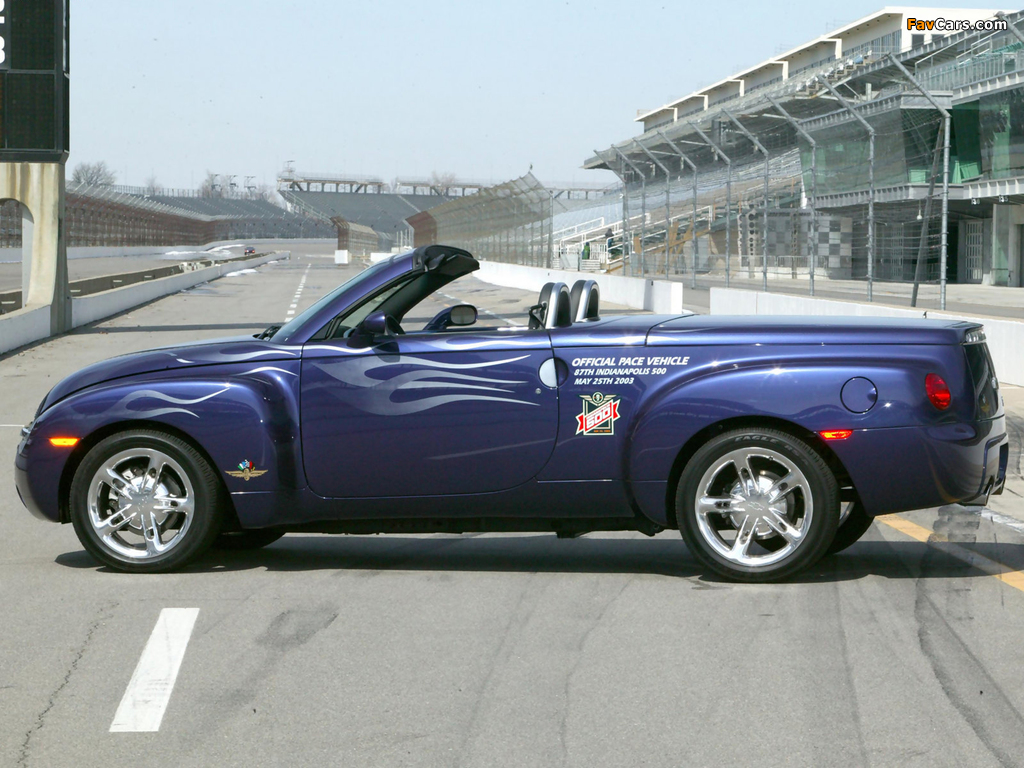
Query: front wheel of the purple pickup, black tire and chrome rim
{"x": 144, "y": 501}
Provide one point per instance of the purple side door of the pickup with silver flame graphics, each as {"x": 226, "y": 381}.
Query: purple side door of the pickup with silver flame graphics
{"x": 428, "y": 414}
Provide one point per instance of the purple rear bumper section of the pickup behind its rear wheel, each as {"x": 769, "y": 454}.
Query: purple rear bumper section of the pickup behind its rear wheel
{"x": 907, "y": 468}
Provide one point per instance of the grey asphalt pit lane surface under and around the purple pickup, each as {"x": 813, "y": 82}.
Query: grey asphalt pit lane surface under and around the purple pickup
{"x": 500, "y": 650}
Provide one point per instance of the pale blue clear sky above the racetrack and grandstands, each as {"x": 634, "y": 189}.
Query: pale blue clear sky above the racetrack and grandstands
{"x": 481, "y": 90}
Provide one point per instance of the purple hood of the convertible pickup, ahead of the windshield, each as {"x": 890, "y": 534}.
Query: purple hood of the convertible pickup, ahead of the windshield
{"x": 209, "y": 353}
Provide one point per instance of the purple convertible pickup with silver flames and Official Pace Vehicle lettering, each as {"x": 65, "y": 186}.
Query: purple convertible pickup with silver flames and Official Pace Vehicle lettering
{"x": 767, "y": 443}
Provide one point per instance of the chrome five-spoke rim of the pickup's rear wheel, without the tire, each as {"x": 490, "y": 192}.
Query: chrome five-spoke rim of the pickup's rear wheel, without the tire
{"x": 750, "y": 496}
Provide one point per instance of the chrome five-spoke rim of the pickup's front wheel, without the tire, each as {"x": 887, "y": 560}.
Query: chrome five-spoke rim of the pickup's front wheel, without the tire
{"x": 141, "y": 503}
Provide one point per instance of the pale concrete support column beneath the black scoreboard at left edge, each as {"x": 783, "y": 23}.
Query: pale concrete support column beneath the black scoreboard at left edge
{"x": 40, "y": 190}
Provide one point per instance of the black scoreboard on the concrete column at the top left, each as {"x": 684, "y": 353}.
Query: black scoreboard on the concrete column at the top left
{"x": 34, "y": 75}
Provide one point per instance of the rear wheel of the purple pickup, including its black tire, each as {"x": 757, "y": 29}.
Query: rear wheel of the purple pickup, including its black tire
{"x": 814, "y": 501}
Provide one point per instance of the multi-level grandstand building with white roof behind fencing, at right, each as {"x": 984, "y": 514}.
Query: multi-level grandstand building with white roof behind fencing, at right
{"x": 834, "y": 152}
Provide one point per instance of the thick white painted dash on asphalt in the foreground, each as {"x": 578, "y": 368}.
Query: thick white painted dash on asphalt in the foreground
{"x": 149, "y": 693}
